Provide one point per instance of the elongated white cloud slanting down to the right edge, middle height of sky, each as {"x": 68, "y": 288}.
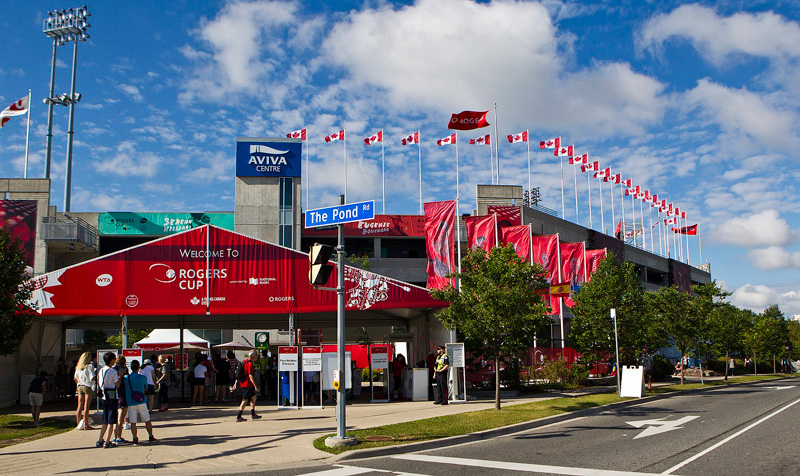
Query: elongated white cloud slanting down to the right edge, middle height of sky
{"x": 740, "y": 111}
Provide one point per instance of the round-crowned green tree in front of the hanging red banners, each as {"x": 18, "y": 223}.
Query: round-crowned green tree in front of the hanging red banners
{"x": 500, "y": 303}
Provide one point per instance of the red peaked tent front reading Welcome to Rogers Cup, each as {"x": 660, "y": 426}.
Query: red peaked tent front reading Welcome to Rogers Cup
{"x": 209, "y": 270}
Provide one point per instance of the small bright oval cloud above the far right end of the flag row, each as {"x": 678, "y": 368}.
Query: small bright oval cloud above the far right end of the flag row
{"x": 759, "y": 229}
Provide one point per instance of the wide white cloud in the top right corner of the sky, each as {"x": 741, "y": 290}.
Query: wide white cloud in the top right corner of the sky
{"x": 763, "y": 34}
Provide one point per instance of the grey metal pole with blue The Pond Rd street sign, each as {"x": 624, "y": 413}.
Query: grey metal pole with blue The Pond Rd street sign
{"x": 339, "y": 215}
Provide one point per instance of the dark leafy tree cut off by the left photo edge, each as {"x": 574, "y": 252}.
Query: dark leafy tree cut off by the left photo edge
{"x": 15, "y": 291}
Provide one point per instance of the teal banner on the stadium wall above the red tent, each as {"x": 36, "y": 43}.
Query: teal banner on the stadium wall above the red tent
{"x": 158, "y": 224}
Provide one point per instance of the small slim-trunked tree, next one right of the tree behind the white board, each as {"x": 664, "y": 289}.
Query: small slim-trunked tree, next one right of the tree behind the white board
{"x": 683, "y": 325}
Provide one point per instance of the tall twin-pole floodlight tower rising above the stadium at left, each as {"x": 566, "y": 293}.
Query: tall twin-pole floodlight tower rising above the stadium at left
{"x": 64, "y": 26}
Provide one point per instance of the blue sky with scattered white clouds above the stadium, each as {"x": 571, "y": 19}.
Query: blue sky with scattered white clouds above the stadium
{"x": 698, "y": 102}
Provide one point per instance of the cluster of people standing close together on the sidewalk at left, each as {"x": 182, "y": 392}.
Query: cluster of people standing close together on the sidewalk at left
{"x": 125, "y": 394}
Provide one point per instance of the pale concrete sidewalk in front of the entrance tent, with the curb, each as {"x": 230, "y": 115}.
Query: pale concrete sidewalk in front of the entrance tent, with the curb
{"x": 207, "y": 440}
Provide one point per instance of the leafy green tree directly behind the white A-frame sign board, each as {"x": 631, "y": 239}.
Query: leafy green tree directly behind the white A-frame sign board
{"x": 616, "y": 285}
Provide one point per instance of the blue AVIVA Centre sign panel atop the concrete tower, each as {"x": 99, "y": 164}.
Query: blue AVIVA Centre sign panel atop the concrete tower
{"x": 268, "y": 157}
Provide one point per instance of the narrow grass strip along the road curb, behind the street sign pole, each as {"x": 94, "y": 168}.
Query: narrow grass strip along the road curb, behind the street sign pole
{"x": 470, "y": 422}
